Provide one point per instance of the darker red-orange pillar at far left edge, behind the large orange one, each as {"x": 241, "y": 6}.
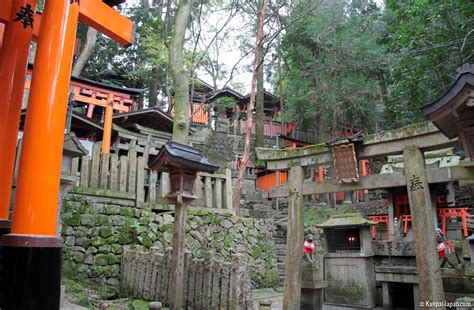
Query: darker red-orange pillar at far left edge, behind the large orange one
{"x": 13, "y": 63}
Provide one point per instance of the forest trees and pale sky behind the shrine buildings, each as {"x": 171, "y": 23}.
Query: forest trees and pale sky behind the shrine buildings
{"x": 364, "y": 64}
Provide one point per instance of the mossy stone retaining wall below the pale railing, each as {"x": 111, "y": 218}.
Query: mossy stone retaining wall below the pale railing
{"x": 95, "y": 229}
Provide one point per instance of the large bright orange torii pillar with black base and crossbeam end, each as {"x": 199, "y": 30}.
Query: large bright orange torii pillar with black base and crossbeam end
{"x": 31, "y": 273}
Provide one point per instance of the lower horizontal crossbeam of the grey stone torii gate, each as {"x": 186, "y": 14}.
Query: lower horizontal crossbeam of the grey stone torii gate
{"x": 375, "y": 181}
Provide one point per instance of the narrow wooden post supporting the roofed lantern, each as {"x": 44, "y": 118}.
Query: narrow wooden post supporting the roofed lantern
{"x": 177, "y": 261}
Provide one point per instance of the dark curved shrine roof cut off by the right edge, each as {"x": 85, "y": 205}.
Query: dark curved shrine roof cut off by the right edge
{"x": 455, "y": 106}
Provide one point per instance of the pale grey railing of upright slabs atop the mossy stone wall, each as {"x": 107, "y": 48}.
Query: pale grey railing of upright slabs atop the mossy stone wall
{"x": 129, "y": 177}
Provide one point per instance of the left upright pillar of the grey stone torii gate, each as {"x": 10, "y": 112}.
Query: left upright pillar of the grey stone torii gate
{"x": 294, "y": 241}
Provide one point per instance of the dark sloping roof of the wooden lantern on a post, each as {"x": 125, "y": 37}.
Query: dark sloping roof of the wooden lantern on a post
{"x": 184, "y": 156}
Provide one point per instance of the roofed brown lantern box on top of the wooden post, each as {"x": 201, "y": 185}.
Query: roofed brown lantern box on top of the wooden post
{"x": 182, "y": 162}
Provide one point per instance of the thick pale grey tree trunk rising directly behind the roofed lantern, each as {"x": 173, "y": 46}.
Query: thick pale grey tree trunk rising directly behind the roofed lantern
{"x": 178, "y": 73}
